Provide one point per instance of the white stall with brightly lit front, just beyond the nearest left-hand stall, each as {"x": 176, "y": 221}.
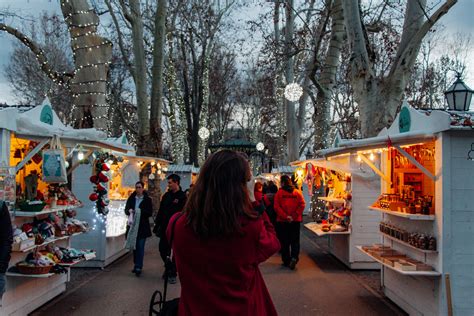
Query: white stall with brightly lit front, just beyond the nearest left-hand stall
{"x": 109, "y": 226}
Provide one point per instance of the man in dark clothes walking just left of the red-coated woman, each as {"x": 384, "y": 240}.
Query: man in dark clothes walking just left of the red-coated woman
{"x": 172, "y": 202}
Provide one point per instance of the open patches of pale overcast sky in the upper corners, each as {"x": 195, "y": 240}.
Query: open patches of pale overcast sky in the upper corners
{"x": 459, "y": 19}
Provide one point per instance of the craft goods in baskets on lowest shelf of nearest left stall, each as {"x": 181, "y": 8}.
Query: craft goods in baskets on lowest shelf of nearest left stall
{"x": 50, "y": 260}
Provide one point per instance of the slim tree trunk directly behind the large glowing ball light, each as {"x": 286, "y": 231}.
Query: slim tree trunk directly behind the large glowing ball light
{"x": 293, "y": 130}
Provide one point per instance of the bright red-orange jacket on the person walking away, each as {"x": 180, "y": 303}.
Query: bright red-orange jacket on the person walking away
{"x": 289, "y": 204}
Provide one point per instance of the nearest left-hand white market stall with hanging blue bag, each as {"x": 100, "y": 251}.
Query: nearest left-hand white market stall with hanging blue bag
{"x": 35, "y": 147}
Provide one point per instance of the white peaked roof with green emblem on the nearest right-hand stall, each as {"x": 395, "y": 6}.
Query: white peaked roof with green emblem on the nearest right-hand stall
{"x": 409, "y": 126}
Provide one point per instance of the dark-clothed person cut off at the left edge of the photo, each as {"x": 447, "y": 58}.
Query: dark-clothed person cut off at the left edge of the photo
{"x": 6, "y": 240}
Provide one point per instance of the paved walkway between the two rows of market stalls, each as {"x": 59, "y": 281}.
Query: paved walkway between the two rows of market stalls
{"x": 320, "y": 285}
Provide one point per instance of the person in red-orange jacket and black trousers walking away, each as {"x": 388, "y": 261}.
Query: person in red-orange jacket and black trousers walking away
{"x": 289, "y": 205}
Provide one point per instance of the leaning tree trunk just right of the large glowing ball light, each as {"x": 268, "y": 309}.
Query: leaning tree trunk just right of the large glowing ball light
{"x": 327, "y": 82}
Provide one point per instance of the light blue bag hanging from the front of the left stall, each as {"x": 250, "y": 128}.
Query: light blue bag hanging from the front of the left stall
{"x": 54, "y": 165}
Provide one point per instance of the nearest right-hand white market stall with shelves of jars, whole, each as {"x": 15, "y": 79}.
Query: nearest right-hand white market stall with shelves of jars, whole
{"x": 426, "y": 230}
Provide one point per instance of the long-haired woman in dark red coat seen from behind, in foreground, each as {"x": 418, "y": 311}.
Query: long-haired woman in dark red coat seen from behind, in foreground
{"x": 220, "y": 241}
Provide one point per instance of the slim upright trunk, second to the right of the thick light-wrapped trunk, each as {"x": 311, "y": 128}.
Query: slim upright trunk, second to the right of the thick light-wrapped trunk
{"x": 157, "y": 74}
